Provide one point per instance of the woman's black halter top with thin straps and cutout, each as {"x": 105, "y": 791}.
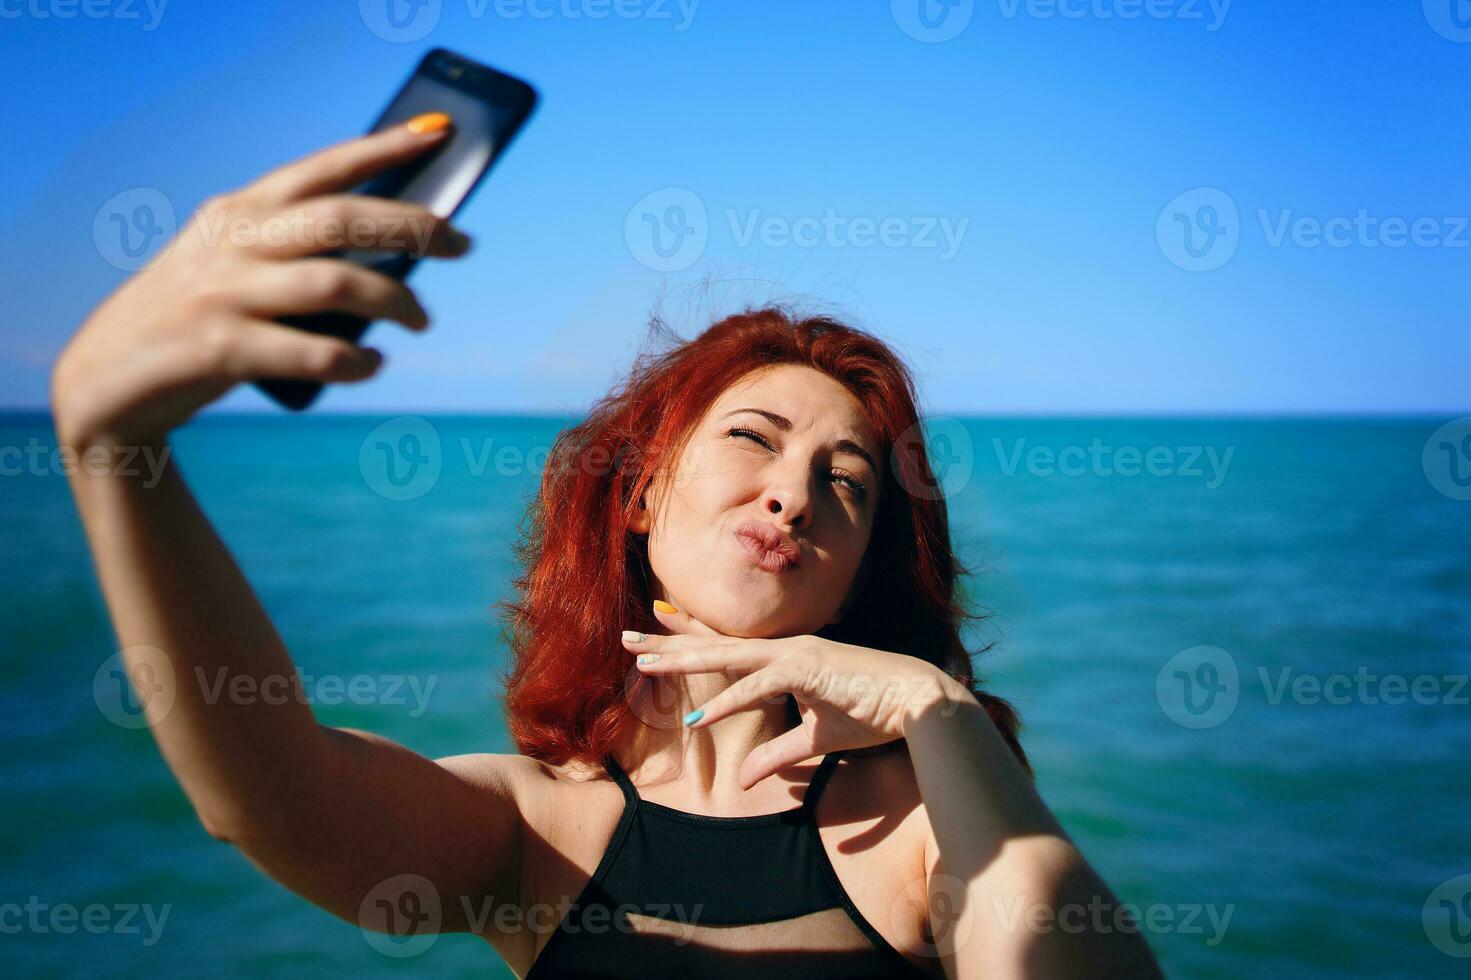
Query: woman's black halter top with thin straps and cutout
{"x": 688, "y": 895}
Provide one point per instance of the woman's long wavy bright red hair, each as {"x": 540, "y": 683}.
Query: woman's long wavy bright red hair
{"x": 585, "y": 578}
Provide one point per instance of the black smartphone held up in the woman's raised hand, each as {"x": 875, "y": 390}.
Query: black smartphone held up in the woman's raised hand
{"x": 488, "y": 110}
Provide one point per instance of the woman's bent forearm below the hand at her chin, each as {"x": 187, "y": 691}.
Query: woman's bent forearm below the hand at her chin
{"x": 1010, "y": 894}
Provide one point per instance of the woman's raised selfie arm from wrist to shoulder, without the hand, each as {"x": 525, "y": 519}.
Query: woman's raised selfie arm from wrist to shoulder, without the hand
{"x": 329, "y": 813}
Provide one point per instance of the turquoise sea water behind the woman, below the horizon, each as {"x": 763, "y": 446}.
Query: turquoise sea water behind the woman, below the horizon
{"x": 1319, "y": 825}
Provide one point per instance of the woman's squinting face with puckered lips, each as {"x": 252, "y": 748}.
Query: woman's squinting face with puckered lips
{"x": 798, "y": 467}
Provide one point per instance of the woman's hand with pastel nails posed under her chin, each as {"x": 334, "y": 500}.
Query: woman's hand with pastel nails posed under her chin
{"x": 850, "y": 697}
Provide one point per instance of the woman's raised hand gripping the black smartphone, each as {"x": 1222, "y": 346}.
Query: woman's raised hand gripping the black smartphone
{"x": 201, "y": 317}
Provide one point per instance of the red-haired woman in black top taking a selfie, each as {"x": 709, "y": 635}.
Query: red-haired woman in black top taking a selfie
{"x": 780, "y": 767}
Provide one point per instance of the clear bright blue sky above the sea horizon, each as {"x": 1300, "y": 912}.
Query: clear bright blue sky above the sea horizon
{"x": 1067, "y": 146}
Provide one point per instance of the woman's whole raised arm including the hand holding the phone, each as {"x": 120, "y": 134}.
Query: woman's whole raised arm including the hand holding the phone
{"x": 333, "y": 814}
